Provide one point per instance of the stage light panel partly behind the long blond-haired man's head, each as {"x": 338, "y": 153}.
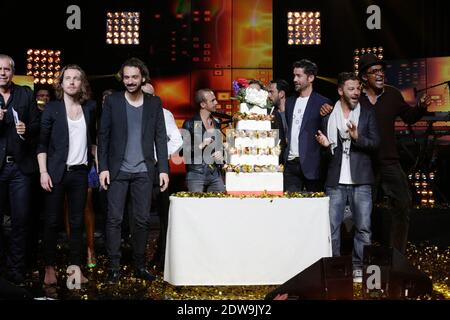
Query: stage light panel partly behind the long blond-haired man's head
{"x": 40, "y": 62}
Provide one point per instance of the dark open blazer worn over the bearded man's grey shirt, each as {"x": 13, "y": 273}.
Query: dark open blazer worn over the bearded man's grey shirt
{"x": 113, "y": 133}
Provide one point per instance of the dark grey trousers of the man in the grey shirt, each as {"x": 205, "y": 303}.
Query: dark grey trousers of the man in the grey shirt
{"x": 140, "y": 186}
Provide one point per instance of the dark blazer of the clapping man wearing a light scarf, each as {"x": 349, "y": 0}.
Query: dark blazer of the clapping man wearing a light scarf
{"x": 361, "y": 151}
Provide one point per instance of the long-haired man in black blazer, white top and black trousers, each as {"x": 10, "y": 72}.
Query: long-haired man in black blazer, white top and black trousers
{"x": 67, "y": 144}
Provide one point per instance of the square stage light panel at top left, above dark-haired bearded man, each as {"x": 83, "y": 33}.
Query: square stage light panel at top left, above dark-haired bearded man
{"x": 125, "y": 22}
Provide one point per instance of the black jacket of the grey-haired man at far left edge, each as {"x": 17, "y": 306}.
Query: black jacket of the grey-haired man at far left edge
{"x": 23, "y": 102}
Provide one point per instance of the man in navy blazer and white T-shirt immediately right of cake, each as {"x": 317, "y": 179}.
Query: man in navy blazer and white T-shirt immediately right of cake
{"x": 303, "y": 156}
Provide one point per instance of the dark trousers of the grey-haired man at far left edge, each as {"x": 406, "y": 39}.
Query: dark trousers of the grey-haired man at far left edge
{"x": 19, "y": 185}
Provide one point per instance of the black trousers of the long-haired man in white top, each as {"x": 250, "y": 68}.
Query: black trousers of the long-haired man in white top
{"x": 75, "y": 185}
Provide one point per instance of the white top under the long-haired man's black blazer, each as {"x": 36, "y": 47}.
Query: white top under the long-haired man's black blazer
{"x": 77, "y": 142}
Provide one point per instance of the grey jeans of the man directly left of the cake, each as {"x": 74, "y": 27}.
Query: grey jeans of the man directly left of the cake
{"x": 208, "y": 181}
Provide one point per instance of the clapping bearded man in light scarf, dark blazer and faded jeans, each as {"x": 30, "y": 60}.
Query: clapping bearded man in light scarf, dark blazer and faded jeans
{"x": 351, "y": 136}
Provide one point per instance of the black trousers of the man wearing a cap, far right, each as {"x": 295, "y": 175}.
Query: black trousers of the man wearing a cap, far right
{"x": 392, "y": 182}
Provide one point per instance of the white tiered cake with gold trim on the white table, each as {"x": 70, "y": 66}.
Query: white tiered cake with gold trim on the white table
{"x": 253, "y": 155}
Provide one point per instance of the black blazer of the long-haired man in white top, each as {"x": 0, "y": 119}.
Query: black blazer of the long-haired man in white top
{"x": 54, "y": 136}
